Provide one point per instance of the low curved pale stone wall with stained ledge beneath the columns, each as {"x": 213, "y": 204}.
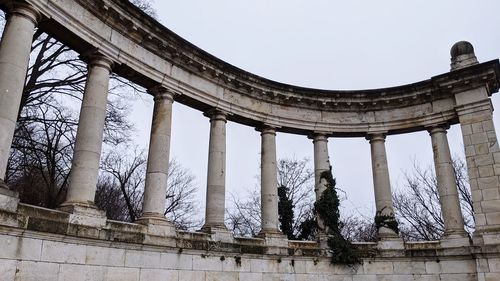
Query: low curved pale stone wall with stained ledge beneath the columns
{"x": 122, "y": 252}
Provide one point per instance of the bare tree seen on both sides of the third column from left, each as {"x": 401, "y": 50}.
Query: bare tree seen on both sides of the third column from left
{"x": 121, "y": 189}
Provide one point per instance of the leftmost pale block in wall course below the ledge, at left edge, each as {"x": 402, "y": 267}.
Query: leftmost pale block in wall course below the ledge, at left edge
{"x": 13, "y": 247}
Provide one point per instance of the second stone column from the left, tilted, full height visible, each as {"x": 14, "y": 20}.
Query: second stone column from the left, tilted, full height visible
{"x": 89, "y": 137}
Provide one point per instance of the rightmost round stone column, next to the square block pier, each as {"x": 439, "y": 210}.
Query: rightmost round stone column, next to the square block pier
{"x": 447, "y": 187}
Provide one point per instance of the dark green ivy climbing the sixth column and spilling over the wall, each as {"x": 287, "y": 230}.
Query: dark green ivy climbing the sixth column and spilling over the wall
{"x": 327, "y": 208}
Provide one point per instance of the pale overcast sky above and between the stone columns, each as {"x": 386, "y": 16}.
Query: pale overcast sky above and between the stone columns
{"x": 323, "y": 44}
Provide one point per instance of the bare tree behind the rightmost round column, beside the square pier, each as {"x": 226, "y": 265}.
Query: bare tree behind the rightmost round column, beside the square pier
{"x": 418, "y": 207}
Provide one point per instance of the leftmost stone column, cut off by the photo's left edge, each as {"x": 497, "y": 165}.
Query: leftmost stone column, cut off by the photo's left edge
{"x": 15, "y": 49}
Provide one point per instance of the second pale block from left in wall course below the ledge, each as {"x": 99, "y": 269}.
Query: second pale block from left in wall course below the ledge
{"x": 63, "y": 252}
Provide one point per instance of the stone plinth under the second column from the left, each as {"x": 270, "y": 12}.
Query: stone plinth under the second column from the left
{"x": 84, "y": 214}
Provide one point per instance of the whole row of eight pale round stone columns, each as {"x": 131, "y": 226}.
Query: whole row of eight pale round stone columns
{"x": 14, "y": 56}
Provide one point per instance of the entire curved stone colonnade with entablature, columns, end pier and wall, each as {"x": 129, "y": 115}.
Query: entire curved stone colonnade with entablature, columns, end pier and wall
{"x": 113, "y": 36}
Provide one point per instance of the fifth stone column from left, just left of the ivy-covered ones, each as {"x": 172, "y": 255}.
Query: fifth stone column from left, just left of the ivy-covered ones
{"x": 269, "y": 182}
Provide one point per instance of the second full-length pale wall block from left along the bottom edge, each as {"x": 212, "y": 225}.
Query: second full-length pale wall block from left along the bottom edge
{"x": 76, "y": 272}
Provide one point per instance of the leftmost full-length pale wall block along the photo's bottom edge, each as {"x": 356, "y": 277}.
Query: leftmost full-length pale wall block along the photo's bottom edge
{"x": 37, "y": 271}
